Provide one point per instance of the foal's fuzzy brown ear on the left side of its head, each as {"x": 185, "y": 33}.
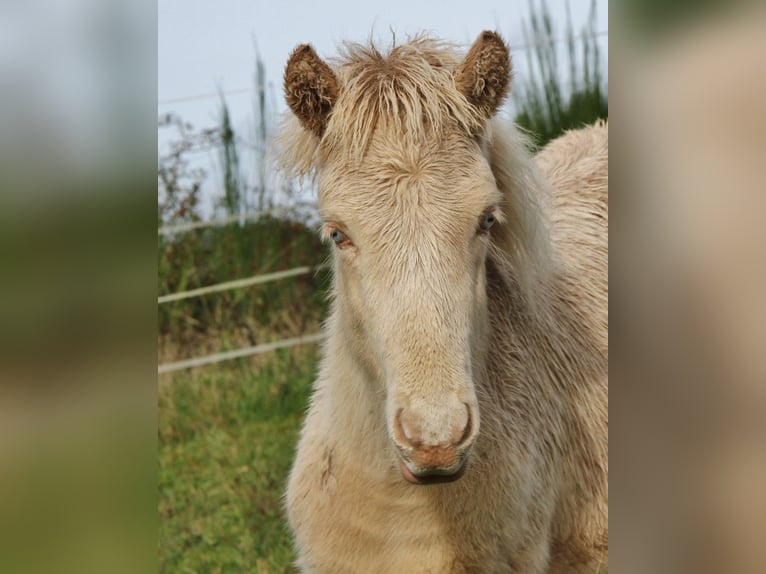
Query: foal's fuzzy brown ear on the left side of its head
{"x": 311, "y": 88}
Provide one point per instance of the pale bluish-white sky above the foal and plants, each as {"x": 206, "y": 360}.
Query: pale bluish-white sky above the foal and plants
{"x": 206, "y": 46}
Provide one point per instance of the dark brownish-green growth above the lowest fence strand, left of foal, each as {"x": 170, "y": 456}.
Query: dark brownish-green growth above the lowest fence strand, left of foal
{"x": 239, "y": 317}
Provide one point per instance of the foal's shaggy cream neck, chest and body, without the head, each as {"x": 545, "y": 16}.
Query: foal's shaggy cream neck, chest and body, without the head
{"x": 533, "y": 498}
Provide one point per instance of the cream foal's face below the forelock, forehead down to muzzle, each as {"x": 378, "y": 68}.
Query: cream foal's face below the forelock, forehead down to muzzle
{"x": 409, "y": 242}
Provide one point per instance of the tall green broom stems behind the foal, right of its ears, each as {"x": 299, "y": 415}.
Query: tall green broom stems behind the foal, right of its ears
{"x": 546, "y": 107}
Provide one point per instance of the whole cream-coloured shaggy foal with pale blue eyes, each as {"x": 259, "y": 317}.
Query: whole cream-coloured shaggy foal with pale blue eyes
{"x": 458, "y": 421}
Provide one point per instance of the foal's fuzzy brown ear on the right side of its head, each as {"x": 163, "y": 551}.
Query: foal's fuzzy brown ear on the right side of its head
{"x": 484, "y": 76}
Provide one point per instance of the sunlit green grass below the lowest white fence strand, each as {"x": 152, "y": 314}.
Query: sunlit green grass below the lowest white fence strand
{"x": 227, "y": 436}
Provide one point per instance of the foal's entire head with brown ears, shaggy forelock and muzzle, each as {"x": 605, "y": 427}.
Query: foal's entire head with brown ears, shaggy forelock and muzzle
{"x": 408, "y": 200}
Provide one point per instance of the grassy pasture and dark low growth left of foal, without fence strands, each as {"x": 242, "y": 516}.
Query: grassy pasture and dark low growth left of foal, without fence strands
{"x": 227, "y": 431}
